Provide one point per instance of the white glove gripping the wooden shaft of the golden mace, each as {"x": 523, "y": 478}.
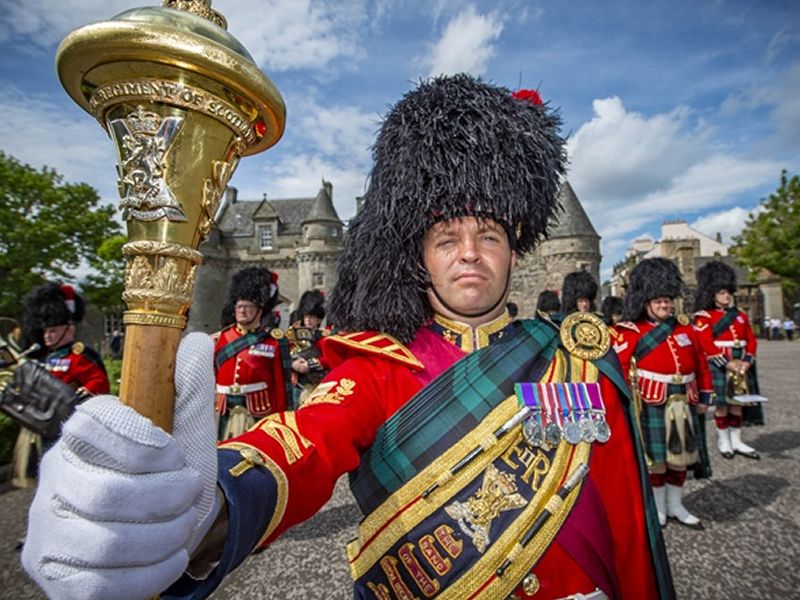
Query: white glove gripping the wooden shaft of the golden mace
{"x": 121, "y": 504}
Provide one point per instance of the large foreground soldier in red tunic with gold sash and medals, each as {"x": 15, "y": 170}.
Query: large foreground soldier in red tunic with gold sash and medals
{"x": 491, "y": 459}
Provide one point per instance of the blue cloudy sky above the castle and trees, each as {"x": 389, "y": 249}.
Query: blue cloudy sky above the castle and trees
{"x": 674, "y": 109}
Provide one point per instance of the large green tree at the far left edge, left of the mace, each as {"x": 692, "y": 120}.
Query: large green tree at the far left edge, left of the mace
{"x": 46, "y": 228}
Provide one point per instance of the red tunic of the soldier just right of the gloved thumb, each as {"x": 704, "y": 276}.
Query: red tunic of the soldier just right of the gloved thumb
{"x": 255, "y": 372}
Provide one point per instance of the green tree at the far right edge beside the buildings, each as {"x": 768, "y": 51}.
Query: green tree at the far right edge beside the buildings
{"x": 771, "y": 236}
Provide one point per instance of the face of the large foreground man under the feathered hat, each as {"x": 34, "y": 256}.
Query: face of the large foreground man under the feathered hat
{"x": 469, "y": 261}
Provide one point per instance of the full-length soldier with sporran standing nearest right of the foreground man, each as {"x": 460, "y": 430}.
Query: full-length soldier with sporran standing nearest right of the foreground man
{"x": 667, "y": 370}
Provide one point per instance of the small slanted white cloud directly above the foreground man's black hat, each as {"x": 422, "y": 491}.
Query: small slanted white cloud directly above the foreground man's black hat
{"x": 466, "y": 44}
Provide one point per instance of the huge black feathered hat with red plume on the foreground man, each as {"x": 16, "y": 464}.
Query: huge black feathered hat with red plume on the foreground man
{"x": 454, "y": 146}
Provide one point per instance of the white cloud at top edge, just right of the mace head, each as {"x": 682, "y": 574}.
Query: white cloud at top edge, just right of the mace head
{"x": 297, "y": 34}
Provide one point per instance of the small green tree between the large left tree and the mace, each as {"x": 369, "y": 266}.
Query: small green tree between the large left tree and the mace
{"x": 104, "y": 287}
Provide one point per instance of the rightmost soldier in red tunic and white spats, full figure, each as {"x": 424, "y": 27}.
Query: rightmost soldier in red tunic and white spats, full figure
{"x": 730, "y": 346}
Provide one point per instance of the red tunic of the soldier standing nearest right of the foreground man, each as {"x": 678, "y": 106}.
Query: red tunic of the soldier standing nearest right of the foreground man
{"x": 680, "y": 357}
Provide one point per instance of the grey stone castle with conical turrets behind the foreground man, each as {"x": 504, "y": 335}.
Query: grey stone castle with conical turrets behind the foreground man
{"x": 301, "y": 240}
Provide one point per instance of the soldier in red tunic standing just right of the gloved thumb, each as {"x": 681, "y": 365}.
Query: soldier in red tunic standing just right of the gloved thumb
{"x": 250, "y": 357}
